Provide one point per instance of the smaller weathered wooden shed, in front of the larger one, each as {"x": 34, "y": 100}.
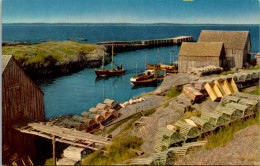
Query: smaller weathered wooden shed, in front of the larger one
{"x": 192, "y": 55}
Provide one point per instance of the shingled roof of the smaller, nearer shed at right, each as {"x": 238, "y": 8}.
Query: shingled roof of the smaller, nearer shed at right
{"x": 201, "y": 49}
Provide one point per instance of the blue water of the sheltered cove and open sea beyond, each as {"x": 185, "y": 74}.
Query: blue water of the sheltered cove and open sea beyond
{"x": 77, "y": 92}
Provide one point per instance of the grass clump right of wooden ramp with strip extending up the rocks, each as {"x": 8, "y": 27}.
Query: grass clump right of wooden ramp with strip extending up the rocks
{"x": 121, "y": 148}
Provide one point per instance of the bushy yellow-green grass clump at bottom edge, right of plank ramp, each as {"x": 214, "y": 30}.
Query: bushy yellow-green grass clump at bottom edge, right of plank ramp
{"x": 120, "y": 150}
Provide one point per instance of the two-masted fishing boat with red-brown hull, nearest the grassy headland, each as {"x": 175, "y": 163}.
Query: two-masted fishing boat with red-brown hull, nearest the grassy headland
{"x": 112, "y": 72}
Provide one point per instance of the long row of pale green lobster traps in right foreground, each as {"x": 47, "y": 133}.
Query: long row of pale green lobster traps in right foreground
{"x": 231, "y": 108}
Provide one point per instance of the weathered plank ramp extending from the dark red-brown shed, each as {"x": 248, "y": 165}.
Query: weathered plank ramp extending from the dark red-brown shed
{"x": 64, "y": 135}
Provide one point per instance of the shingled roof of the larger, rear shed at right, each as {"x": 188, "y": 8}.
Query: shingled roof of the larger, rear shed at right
{"x": 231, "y": 39}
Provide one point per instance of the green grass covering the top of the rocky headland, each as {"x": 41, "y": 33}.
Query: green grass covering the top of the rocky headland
{"x": 46, "y": 52}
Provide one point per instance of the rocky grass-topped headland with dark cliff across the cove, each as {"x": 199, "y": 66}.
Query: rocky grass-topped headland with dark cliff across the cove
{"x": 53, "y": 67}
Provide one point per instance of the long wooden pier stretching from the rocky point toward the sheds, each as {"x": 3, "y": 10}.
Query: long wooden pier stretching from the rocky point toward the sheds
{"x": 121, "y": 46}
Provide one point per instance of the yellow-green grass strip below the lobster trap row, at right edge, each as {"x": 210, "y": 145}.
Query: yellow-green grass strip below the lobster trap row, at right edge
{"x": 226, "y": 133}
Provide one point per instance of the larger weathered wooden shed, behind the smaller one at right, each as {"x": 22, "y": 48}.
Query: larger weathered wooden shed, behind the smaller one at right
{"x": 237, "y": 45}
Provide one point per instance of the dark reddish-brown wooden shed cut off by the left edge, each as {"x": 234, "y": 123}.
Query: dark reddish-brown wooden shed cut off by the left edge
{"x": 22, "y": 101}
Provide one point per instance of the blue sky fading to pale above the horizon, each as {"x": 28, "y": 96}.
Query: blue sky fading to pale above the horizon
{"x": 131, "y": 11}
